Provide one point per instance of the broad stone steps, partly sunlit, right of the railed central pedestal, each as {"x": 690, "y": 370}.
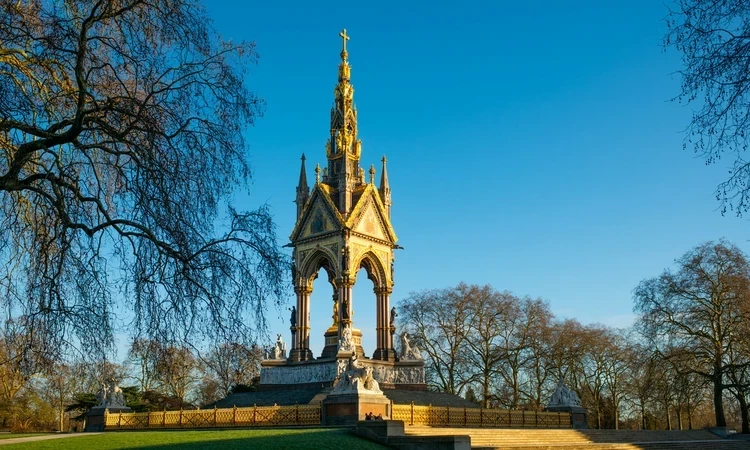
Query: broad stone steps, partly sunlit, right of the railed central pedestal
{"x": 548, "y": 439}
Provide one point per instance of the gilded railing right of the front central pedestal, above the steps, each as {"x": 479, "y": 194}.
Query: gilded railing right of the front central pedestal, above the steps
{"x": 445, "y": 416}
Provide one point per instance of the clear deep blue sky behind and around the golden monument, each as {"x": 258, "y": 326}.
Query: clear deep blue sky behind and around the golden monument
{"x": 531, "y": 144}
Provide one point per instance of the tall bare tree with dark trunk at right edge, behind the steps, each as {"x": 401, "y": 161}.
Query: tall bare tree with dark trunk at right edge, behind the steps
{"x": 694, "y": 313}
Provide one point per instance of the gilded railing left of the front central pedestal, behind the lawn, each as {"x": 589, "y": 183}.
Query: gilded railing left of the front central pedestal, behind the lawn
{"x": 260, "y": 416}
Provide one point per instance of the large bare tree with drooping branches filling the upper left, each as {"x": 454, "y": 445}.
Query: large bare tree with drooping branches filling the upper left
{"x": 121, "y": 140}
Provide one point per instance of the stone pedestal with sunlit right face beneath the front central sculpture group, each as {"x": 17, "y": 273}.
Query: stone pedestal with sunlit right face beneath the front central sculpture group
{"x": 348, "y": 409}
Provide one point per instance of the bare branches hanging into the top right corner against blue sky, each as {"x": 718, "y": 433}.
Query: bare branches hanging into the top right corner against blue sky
{"x": 714, "y": 40}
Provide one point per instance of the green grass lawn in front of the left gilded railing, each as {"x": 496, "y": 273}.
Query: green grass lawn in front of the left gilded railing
{"x": 307, "y": 438}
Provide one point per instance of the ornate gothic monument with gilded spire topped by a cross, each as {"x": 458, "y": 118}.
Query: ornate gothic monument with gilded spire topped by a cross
{"x": 343, "y": 224}
